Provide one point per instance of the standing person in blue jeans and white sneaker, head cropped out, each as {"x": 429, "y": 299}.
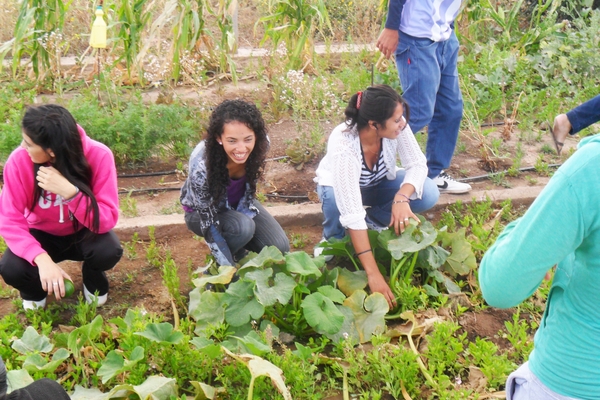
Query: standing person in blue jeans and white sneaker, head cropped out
{"x": 421, "y": 34}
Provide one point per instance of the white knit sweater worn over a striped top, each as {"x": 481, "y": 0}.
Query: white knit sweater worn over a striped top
{"x": 341, "y": 168}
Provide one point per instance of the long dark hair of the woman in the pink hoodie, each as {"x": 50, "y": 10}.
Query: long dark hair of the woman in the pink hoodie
{"x": 52, "y": 127}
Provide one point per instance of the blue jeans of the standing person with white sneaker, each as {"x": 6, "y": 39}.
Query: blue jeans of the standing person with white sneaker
{"x": 429, "y": 78}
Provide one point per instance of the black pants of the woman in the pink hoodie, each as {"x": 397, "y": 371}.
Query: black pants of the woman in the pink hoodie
{"x": 98, "y": 254}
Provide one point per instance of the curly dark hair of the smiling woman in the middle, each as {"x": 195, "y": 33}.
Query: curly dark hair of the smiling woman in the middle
{"x": 216, "y": 158}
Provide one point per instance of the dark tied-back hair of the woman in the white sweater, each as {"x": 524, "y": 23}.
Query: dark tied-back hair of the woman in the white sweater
{"x": 378, "y": 104}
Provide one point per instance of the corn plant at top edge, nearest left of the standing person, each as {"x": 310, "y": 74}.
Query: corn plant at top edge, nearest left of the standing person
{"x": 294, "y": 22}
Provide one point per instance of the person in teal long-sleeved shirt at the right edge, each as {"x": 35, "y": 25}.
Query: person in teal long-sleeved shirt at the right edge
{"x": 562, "y": 228}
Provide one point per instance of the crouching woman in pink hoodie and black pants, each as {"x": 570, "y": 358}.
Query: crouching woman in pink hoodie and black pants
{"x": 59, "y": 202}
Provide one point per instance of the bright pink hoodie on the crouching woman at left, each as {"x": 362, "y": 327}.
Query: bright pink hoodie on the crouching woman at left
{"x": 51, "y": 214}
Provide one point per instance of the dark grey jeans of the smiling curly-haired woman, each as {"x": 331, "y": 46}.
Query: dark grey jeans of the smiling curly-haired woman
{"x": 242, "y": 232}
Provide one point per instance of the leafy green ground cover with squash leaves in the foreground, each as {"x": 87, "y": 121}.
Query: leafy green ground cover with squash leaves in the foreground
{"x": 281, "y": 314}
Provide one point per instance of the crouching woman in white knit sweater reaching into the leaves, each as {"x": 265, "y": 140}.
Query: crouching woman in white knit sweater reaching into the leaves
{"x": 359, "y": 184}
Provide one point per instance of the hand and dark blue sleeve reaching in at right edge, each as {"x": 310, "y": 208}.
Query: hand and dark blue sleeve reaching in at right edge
{"x": 574, "y": 121}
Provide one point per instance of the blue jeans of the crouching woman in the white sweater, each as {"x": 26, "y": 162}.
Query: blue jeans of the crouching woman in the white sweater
{"x": 379, "y": 200}
